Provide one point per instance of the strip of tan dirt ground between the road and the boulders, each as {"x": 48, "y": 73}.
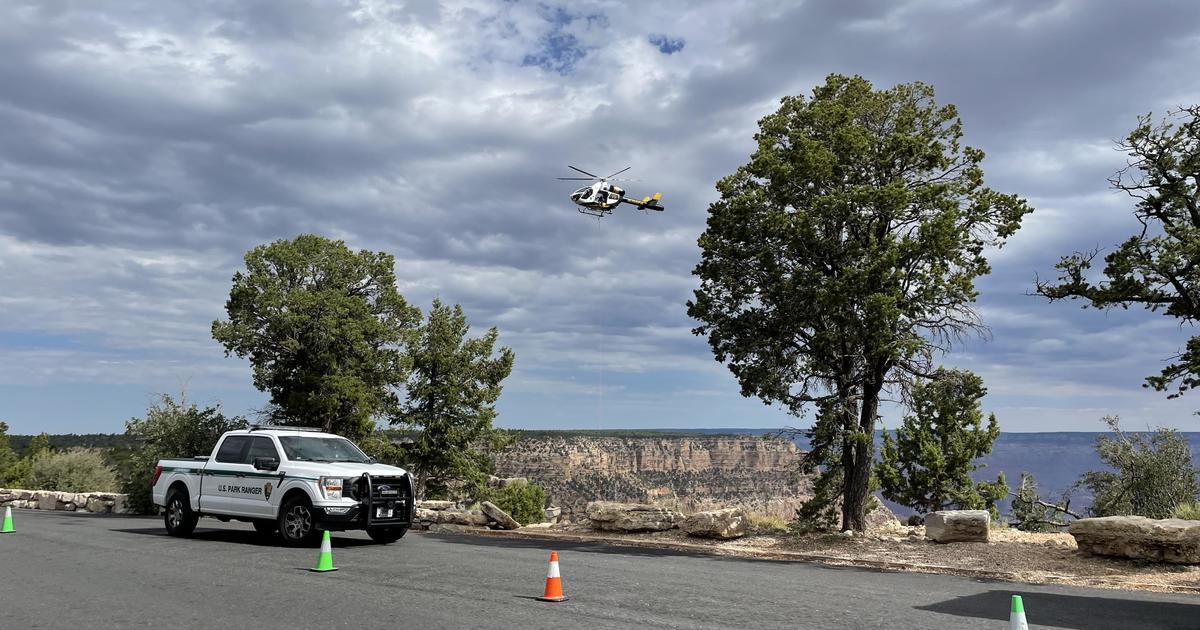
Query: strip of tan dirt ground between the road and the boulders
{"x": 1011, "y": 555}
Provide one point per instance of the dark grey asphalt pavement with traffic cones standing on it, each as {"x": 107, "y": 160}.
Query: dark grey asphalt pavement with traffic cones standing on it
{"x": 76, "y": 571}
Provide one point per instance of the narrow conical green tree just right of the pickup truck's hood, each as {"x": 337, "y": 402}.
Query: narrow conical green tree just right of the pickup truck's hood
{"x": 452, "y": 395}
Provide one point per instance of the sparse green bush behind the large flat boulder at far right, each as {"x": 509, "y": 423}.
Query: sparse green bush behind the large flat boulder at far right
{"x": 1151, "y": 473}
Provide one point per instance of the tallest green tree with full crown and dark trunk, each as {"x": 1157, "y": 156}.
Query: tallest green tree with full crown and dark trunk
{"x": 845, "y": 254}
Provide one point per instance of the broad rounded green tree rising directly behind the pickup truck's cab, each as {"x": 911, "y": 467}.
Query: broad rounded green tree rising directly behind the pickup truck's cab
{"x": 323, "y": 328}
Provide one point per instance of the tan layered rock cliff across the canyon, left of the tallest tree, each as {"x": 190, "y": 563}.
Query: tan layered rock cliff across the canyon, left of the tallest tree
{"x": 692, "y": 473}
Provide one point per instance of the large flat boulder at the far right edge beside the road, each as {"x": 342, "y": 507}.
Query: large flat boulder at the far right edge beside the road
{"x": 1171, "y": 541}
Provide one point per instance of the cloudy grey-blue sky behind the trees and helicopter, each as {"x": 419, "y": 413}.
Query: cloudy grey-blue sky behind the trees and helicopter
{"x": 147, "y": 146}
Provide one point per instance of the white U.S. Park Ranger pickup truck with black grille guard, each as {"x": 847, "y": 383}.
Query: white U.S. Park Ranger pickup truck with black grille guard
{"x": 293, "y": 481}
